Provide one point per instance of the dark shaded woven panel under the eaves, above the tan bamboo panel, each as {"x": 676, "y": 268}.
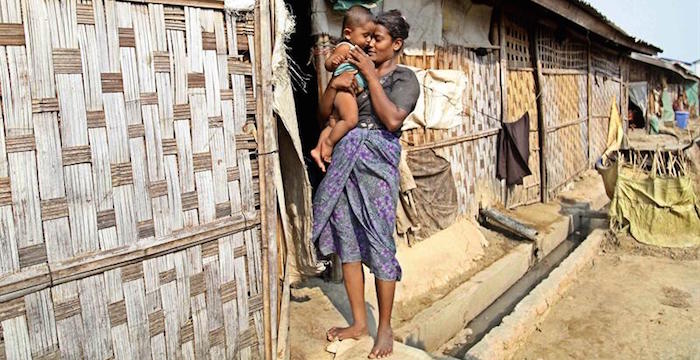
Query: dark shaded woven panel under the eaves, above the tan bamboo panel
{"x": 567, "y": 53}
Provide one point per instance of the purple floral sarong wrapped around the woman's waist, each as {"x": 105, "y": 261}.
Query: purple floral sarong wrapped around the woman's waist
{"x": 355, "y": 204}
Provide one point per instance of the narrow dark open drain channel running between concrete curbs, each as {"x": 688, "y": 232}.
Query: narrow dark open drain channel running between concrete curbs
{"x": 504, "y": 305}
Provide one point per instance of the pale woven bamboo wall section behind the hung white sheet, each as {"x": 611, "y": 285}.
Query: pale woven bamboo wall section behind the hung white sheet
{"x": 471, "y": 147}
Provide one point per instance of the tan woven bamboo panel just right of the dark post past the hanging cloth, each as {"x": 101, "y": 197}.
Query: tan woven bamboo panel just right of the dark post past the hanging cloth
{"x": 565, "y": 107}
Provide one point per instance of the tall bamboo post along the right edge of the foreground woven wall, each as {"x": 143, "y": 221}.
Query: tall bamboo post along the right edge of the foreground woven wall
{"x": 267, "y": 151}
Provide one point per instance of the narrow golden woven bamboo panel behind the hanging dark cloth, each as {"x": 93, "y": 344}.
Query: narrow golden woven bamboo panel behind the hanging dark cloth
{"x": 521, "y": 98}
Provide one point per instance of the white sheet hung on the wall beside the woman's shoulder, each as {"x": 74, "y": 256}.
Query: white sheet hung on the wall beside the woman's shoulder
{"x": 441, "y": 101}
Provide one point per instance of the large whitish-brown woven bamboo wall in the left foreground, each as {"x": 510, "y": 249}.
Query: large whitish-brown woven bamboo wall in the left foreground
{"x": 129, "y": 226}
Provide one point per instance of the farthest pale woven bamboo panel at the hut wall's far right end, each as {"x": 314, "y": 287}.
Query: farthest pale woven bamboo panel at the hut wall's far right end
{"x": 604, "y": 90}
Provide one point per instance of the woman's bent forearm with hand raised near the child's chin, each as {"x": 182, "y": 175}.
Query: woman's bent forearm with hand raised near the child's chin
{"x": 388, "y": 113}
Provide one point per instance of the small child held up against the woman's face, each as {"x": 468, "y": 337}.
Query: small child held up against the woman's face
{"x": 358, "y": 26}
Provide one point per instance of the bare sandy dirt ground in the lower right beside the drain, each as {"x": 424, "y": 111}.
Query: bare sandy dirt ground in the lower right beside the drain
{"x": 625, "y": 307}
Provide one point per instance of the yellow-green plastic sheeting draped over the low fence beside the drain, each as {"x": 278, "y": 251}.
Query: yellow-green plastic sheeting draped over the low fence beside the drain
{"x": 659, "y": 211}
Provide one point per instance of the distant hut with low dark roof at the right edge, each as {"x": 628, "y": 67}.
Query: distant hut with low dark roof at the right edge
{"x": 658, "y": 84}
